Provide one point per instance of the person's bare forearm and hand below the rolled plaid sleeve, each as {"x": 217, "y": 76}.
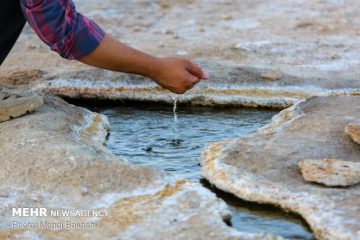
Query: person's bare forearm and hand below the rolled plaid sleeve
{"x": 175, "y": 74}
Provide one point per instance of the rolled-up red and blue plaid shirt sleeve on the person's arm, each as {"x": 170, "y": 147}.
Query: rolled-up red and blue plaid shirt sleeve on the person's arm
{"x": 61, "y": 27}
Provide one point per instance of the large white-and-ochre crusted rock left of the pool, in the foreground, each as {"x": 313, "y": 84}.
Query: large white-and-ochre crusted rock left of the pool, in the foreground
{"x": 54, "y": 158}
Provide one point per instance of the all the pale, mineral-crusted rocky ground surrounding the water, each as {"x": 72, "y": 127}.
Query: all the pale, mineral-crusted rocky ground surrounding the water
{"x": 259, "y": 54}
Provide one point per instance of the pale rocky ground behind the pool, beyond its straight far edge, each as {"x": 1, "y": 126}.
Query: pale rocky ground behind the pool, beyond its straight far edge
{"x": 258, "y": 53}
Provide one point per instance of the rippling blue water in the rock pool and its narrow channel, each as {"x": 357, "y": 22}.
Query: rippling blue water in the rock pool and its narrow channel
{"x": 144, "y": 134}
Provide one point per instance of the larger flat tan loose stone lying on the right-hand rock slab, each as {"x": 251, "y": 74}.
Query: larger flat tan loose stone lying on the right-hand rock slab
{"x": 331, "y": 172}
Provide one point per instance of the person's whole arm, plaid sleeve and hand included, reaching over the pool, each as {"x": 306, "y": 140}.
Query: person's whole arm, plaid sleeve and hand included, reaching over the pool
{"x": 74, "y": 36}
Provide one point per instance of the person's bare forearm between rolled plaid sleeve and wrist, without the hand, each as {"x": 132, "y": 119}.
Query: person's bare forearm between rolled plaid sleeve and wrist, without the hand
{"x": 116, "y": 56}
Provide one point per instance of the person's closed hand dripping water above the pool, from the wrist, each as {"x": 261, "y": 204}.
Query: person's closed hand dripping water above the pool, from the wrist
{"x": 178, "y": 74}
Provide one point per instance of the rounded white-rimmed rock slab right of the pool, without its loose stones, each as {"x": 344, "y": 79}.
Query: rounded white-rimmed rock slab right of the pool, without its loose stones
{"x": 264, "y": 167}
